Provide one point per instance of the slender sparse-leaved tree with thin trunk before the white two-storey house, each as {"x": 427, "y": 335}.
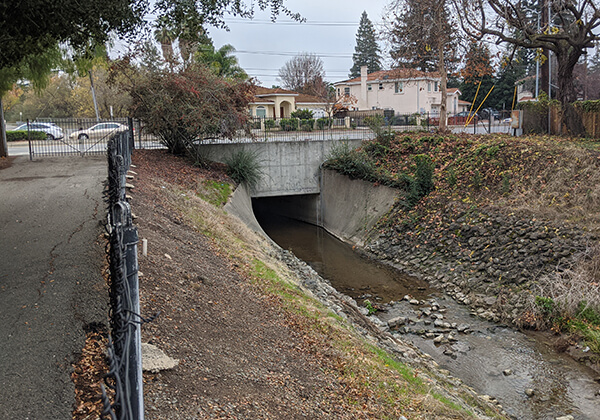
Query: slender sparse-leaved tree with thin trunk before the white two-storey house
{"x": 423, "y": 37}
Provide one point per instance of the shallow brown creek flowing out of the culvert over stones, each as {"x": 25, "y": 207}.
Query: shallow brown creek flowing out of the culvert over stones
{"x": 521, "y": 370}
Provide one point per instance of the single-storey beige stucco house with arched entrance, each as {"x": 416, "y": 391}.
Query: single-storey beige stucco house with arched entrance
{"x": 280, "y": 103}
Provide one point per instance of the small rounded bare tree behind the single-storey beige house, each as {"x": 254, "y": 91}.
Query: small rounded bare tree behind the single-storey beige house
{"x": 304, "y": 73}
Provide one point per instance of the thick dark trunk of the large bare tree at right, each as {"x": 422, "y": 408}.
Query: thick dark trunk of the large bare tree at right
{"x": 571, "y": 121}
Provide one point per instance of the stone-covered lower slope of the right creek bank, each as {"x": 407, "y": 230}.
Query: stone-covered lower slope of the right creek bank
{"x": 484, "y": 259}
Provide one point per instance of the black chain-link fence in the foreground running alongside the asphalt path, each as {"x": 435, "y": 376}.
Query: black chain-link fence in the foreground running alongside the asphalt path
{"x": 124, "y": 353}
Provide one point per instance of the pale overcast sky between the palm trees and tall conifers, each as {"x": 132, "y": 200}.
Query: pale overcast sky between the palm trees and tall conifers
{"x": 329, "y": 32}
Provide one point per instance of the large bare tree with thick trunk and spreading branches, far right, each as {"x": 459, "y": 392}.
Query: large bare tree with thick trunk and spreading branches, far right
{"x": 568, "y": 33}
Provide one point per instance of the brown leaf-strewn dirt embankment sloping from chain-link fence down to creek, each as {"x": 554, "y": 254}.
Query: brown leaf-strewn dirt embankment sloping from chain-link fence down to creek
{"x": 251, "y": 339}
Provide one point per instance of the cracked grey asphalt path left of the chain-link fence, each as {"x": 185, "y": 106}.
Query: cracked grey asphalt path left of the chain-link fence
{"x": 51, "y": 285}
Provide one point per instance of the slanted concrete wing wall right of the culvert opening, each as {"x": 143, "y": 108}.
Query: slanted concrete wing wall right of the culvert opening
{"x": 350, "y": 208}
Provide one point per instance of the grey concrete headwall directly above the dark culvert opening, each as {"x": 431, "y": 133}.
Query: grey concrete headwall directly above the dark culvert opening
{"x": 289, "y": 168}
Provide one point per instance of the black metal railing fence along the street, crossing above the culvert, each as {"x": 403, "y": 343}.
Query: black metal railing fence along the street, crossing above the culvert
{"x": 79, "y": 136}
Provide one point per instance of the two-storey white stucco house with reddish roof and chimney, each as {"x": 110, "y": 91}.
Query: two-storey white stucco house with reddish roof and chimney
{"x": 405, "y": 91}
